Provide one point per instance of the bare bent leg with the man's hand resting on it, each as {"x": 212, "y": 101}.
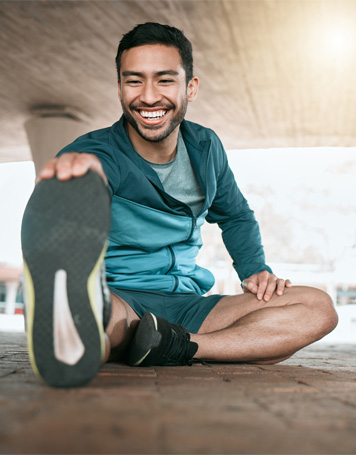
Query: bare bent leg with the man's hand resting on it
{"x": 243, "y": 329}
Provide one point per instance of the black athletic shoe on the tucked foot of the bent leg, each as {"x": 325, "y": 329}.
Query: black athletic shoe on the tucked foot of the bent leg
{"x": 158, "y": 342}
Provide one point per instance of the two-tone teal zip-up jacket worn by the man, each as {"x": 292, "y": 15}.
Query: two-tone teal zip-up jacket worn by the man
{"x": 154, "y": 238}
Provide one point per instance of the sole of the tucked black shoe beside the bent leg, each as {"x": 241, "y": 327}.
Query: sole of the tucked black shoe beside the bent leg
{"x": 146, "y": 338}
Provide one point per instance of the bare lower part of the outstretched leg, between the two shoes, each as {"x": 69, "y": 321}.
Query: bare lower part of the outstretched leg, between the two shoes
{"x": 120, "y": 329}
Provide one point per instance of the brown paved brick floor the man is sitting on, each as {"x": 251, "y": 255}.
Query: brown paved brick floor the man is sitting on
{"x": 306, "y": 405}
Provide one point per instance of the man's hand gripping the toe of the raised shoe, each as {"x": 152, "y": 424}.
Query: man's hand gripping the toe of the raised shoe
{"x": 71, "y": 165}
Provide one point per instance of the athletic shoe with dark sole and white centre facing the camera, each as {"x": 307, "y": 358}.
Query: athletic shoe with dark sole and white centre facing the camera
{"x": 64, "y": 239}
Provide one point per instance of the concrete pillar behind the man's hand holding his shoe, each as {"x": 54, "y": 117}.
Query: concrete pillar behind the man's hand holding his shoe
{"x": 50, "y": 129}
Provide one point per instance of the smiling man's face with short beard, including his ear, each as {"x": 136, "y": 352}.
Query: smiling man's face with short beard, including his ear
{"x": 153, "y": 90}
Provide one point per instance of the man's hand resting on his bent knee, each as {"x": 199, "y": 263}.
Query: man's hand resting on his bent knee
{"x": 264, "y": 284}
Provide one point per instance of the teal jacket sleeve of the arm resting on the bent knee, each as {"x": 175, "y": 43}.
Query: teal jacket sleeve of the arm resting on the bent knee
{"x": 240, "y": 230}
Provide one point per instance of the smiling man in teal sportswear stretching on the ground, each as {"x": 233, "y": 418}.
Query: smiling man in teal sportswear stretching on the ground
{"x": 165, "y": 176}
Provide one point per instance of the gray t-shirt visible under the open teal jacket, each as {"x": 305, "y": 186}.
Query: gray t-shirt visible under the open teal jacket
{"x": 178, "y": 178}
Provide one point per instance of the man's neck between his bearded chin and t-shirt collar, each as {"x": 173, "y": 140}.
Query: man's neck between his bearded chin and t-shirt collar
{"x": 155, "y": 152}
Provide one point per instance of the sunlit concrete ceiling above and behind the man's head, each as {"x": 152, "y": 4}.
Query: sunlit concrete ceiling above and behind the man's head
{"x": 273, "y": 73}
